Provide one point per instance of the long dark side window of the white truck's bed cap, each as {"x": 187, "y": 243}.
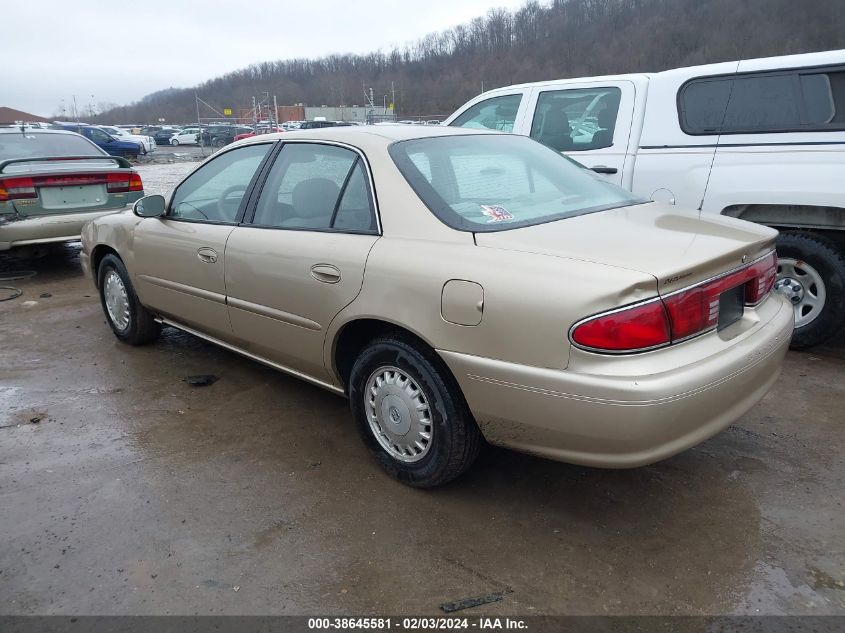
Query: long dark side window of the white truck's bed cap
{"x": 765, "y": 102}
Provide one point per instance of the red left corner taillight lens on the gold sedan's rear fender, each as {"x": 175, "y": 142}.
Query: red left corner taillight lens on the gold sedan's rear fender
{"x": 640, "y": 327}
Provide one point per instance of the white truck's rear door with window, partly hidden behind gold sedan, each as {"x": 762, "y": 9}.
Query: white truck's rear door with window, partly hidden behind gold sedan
{"x": 588, "y": 121}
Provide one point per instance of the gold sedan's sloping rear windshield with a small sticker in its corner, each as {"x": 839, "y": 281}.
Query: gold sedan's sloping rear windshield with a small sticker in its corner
{"x": 499, "y": 182}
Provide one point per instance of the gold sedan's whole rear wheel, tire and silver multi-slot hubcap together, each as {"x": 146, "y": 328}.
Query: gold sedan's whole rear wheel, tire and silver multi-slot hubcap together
{"x": 411, "y": 414}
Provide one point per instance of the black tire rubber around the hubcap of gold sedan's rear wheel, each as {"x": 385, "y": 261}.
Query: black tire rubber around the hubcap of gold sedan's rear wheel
{"x": 455, "y": 437}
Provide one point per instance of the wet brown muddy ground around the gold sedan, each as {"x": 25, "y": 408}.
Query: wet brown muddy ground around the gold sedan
{"x": 124, "y": 490}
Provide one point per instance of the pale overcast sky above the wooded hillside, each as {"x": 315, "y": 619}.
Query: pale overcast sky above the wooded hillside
{"x": 106, "y": 52}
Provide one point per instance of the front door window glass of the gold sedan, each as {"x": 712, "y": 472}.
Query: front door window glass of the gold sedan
{"x": 214, "y": 192}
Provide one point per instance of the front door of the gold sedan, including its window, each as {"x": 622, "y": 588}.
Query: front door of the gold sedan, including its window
{"x": 180, "y": 259}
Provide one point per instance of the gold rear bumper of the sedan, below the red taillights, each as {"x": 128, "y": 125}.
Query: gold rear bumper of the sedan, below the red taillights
{"x": 626, "y": 414}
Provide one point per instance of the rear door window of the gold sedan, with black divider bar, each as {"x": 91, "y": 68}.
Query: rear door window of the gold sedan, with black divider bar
{"x": 317, "y": 187}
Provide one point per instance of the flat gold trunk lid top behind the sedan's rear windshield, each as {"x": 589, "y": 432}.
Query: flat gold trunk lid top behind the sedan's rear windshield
{"x": 679, "y": 249}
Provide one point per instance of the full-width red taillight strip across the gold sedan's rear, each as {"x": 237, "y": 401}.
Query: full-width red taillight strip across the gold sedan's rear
{"x": 675, "y": 317}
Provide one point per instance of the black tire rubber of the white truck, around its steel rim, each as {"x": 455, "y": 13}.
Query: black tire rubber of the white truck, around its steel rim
{"x": 826, "y": 258}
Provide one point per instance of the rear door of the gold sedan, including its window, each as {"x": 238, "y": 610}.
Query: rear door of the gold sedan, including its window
{"x": 300, "y": 259}
